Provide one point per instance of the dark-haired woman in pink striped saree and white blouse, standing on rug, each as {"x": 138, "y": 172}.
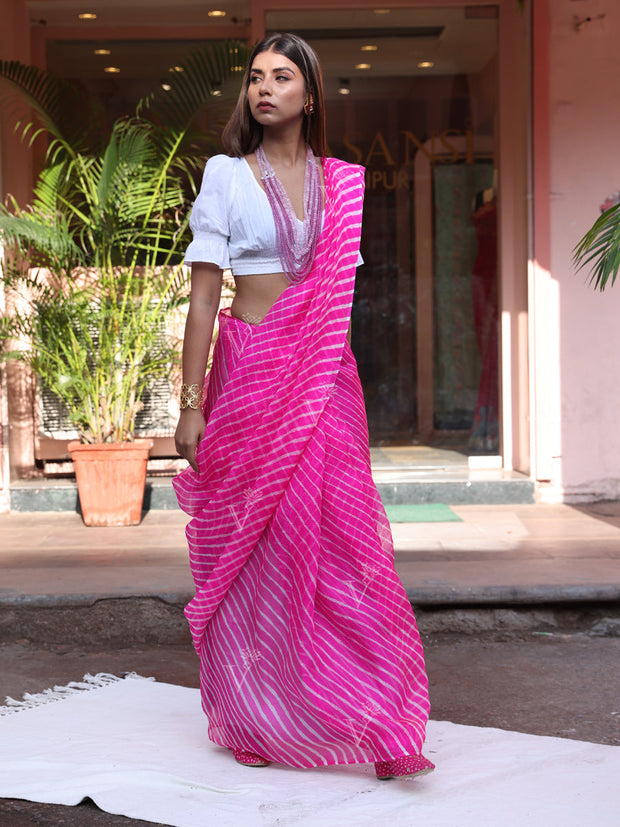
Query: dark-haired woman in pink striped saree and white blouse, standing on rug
{"x": 309, "y": 652}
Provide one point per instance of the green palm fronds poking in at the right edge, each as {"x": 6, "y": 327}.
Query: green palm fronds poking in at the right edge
{"x": 600, "y": 249}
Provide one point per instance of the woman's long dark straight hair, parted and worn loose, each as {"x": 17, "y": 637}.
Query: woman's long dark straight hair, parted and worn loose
{"x": 242, "y": 134}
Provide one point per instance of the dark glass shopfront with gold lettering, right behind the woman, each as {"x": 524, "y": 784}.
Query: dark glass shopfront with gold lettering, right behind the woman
{"x": 412, "y": 95}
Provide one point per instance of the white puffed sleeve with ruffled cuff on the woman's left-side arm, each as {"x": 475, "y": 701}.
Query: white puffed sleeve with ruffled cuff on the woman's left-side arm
{"x": 209, "y": 220}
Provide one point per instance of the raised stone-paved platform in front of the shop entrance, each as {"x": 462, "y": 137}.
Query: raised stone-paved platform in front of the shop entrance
{"x": 497, "y": 554}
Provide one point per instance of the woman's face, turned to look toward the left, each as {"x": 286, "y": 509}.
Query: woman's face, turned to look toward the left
{"x": 277, "y": 90}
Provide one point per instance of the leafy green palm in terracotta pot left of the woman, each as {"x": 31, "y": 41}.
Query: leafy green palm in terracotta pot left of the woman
{"x": 95, "y": 269}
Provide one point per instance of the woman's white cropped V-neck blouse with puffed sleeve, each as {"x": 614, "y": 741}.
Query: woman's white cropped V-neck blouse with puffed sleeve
{"x": 232, "y": 221}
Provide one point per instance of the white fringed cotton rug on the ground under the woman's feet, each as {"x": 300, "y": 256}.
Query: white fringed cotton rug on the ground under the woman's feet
{"x": 138, "y": 748}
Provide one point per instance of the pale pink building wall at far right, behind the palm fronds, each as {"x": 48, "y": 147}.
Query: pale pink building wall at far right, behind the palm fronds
{"x": 584, "y": 417}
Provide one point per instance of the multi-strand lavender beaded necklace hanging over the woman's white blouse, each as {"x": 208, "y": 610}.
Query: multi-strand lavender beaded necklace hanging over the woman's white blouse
{"x": 296, "y": 240}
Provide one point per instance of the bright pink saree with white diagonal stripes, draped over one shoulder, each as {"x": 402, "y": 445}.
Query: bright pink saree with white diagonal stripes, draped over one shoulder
{"x": 309, "y": 651}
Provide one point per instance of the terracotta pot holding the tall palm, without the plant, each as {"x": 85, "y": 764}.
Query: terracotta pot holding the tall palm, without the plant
{"x": 111, "y": 479}
